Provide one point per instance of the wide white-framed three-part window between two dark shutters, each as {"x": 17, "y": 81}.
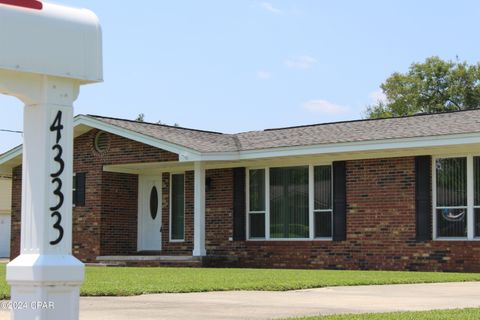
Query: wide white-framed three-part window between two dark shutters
{"x": 290, "y": 202}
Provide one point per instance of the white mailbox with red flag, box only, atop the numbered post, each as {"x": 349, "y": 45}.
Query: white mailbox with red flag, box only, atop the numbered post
{"x": 50, "y": 39}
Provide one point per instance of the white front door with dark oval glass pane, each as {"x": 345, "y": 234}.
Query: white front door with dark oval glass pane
{"x": 149, "y": 213}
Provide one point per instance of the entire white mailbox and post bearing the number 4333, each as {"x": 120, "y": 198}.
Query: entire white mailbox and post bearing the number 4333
{"x": 46, "y": 52}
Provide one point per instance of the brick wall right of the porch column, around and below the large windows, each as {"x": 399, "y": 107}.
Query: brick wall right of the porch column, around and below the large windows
{"x": 380, "y": 228}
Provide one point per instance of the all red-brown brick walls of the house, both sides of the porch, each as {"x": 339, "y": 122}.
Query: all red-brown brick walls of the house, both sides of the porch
{"x": 380, "y": 218}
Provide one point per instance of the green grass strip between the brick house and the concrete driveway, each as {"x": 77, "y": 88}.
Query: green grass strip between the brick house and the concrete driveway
{"x": 102, "y": 281}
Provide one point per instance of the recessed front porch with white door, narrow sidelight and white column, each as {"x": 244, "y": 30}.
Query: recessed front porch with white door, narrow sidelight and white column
{"x": 168, "y": 208}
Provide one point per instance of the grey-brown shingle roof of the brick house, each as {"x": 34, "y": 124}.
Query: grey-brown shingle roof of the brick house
{"x": 327, "y": 133}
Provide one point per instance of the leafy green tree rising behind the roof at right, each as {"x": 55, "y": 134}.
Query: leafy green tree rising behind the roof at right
{"x": 429, "y": 87}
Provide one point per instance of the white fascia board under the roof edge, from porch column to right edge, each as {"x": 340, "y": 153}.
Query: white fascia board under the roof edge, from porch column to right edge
{"x": 361, "y": 146}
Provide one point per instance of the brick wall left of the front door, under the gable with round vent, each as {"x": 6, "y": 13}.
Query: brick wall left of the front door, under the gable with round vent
{"x": 107, "y": 224}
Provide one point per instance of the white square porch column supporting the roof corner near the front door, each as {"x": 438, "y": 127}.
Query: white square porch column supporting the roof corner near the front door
{"x": 199, "y": 210}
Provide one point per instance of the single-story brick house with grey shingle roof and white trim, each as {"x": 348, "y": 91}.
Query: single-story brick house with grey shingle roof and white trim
{"x": 394, "y": 194}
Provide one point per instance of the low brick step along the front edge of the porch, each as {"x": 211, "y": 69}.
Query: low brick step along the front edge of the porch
{"x": 150, "y": 261}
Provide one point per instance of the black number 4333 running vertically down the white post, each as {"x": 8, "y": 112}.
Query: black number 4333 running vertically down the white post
{"x": 57, "y": 127}
